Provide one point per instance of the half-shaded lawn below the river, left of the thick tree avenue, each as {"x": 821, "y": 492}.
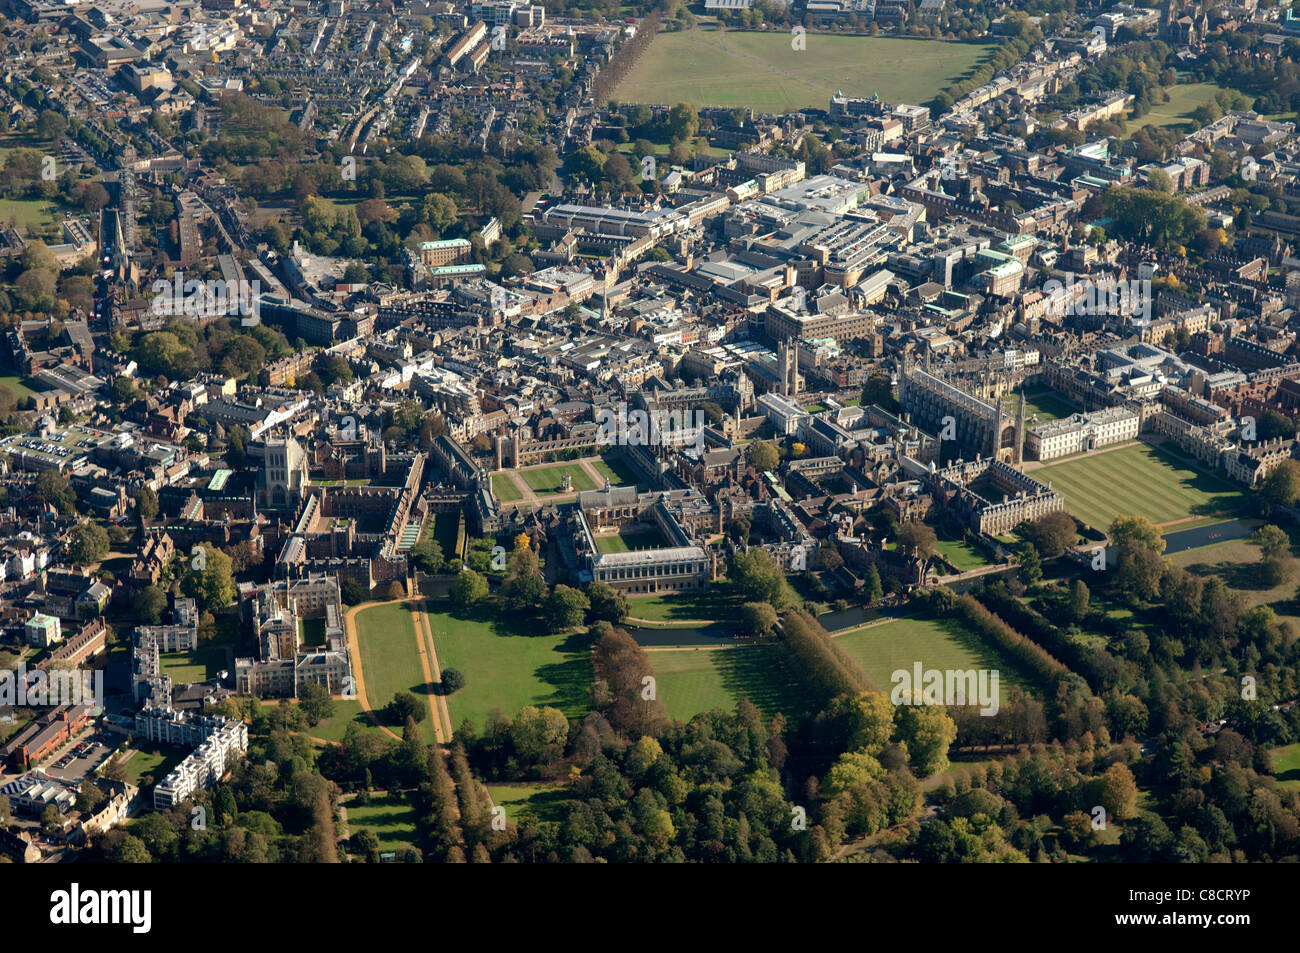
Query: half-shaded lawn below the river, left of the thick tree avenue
{"x": 695, "y": 681}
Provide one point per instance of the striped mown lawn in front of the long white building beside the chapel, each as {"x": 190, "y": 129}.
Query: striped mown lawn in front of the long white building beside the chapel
{"x": 1139, "y": 480}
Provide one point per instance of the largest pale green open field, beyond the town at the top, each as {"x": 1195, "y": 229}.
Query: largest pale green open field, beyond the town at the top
{"x": 761, "y": 70}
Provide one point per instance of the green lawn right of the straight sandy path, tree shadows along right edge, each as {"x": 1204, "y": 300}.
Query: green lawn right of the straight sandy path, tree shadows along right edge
{"x": 508, "y": 668}
